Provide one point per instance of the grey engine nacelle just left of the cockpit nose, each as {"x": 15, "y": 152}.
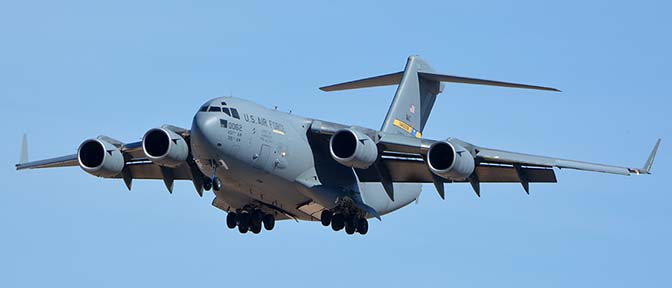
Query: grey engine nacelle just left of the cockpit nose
{"x": 165, "y": 147}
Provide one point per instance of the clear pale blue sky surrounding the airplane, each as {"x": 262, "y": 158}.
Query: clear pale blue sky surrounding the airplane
{"x": 70, "y": 70}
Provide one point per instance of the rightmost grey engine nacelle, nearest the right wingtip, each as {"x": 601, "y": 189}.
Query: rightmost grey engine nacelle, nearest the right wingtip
{"x": 450, "y": 161}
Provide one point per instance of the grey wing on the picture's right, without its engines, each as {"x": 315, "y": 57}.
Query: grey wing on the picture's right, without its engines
{"x": 403, "y": 160}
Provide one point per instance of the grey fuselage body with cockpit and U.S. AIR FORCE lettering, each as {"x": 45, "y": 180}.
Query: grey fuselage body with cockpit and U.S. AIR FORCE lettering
{"x": 266, "y": 158}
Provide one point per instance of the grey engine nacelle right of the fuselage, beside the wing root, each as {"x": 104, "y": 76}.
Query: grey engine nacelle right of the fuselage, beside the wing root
{"x": 353, "y": 149}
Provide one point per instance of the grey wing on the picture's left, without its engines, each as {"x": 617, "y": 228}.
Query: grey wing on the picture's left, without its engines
{"x": 137, "y": 165}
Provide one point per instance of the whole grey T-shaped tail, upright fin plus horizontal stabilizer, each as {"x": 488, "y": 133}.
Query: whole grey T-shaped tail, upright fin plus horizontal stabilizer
{"x": 416, "y": 93}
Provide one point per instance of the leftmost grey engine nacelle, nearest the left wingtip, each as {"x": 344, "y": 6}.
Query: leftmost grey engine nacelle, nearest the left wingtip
{"x": 100, "y": 158}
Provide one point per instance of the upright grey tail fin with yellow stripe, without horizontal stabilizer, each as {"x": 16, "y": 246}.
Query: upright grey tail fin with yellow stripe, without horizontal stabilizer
{"x": 413, "y": 100}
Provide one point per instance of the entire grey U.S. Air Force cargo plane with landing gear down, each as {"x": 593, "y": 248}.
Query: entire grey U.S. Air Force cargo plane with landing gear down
{"x": 265, "y": 165}
